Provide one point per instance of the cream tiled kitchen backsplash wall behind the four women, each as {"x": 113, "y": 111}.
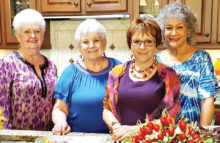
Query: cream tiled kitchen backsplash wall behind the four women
{"x": 62, "y": 36}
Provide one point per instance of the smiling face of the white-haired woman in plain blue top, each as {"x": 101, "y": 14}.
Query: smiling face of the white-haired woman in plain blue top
{"x": 92, "y": 46}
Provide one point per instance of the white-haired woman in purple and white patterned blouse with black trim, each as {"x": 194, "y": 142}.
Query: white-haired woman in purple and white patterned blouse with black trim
{"x": 27, "y": 78}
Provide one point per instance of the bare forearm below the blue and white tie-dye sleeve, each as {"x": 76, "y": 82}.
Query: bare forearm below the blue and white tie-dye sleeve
{"x": 207, "y": 111}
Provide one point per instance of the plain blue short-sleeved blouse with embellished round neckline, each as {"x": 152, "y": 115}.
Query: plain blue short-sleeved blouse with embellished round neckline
{"x": 83, "y": 91}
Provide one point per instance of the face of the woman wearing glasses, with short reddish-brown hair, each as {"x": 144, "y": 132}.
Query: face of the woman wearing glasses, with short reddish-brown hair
{"x": 144, "y": 51}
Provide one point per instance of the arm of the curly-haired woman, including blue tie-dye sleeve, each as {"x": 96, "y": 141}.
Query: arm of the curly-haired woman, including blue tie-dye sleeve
{"x": 208, "y": 87}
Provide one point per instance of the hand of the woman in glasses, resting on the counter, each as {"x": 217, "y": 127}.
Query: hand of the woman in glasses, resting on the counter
{"x": 119, "y": 132}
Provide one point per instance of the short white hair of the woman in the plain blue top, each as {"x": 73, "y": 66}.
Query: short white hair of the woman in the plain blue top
{"x": 90, "y": 25}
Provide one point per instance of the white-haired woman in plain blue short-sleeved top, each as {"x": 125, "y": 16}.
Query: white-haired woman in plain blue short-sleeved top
{"x": 81, "y": 88}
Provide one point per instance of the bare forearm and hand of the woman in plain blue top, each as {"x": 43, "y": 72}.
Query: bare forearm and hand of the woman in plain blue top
{"x": 59, "y": 116}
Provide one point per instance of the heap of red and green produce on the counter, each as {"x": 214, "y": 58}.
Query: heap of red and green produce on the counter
{"x": 165, "y": 130}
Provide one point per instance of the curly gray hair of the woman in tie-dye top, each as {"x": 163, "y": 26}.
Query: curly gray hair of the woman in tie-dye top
{"x": 179, "y": 11}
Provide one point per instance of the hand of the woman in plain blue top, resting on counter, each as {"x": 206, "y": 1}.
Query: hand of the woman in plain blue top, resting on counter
{"x": 61, "y": 128}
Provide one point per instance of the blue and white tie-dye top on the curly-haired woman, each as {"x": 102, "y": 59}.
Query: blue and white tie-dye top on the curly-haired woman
{"x": 197, "y": 81}
